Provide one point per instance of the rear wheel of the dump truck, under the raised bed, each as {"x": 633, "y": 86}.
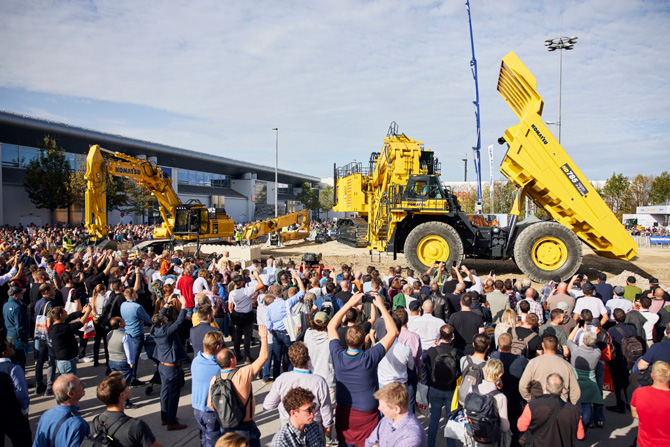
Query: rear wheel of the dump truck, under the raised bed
{"x": 547, "y": 249}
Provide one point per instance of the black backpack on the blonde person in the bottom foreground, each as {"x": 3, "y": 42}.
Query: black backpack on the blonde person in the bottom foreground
{"x": 482, "y": 414}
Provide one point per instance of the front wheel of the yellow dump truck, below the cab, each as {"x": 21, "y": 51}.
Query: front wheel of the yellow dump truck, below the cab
{"x": 431, "y": 242}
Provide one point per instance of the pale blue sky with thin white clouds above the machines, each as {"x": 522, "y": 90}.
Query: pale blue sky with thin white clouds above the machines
{"x": 217, "y": 76}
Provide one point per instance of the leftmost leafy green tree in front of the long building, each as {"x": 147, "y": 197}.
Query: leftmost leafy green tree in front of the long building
{"x": 49, "y": 178}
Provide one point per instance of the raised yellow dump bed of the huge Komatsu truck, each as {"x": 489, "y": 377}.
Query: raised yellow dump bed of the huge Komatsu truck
{"x": 537, "y": 164}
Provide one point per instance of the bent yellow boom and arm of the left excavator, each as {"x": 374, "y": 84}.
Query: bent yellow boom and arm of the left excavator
{"x": 145, "y": 173}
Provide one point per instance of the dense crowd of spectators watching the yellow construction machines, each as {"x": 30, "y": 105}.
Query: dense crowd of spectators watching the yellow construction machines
{"x": 351, "y": 357}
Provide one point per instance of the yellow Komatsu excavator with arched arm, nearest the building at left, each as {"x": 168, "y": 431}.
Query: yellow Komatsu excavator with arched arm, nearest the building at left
{"x": 182, "y": 223}
